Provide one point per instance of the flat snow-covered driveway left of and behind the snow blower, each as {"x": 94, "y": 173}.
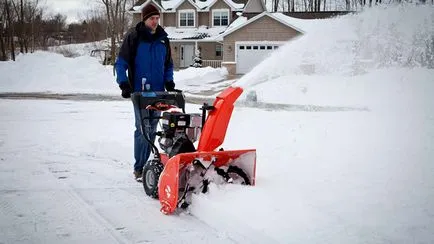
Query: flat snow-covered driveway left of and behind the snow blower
{"x": 63, "y": 179}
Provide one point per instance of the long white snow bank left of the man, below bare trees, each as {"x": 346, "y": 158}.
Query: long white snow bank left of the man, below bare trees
{"x": 51, "y": 72}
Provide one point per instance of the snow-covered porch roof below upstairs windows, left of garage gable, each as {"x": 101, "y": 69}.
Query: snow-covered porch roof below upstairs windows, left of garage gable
{"x": 202, "y": 33}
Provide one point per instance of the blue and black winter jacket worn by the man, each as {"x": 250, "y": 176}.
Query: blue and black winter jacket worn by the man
{"x": 145, "y": 55}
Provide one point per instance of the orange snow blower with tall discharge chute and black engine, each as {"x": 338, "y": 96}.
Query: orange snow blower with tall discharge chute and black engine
{"x": 173, "y": 176}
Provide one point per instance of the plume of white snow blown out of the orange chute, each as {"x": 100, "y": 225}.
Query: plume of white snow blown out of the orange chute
{"x": 380, "y": 37}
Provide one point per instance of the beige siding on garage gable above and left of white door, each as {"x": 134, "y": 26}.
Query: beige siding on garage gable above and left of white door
{"x": 263, "y": 29}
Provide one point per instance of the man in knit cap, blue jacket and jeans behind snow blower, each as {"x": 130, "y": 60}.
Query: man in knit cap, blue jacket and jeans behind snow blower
{"x": 145, "y": 54}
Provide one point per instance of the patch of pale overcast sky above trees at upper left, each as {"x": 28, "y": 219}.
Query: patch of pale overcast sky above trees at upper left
{"x": 75, "y": 10}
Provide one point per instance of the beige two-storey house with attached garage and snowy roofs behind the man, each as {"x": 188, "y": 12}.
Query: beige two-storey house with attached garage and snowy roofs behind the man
{"x": 235, "y": 35}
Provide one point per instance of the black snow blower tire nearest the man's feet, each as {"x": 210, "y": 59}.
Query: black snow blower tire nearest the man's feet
{"x": 151, "y": 176}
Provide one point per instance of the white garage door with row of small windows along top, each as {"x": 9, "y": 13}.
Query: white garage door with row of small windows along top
{"x": 250, "y": 55}
